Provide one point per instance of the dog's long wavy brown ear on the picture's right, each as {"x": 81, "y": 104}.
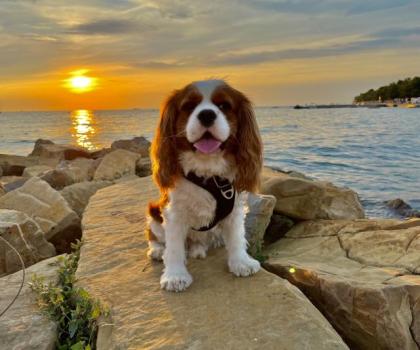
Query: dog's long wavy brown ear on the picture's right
{"x": 249, "y": 154}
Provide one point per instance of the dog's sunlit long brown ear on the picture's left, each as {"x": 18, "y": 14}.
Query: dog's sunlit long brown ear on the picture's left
{"x": 164, "y": 152}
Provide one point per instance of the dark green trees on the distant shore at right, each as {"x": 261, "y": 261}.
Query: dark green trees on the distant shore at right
{"x": 406, "y": 88}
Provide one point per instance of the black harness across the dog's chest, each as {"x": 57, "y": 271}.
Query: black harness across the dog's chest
{"x": 222, "y": 191}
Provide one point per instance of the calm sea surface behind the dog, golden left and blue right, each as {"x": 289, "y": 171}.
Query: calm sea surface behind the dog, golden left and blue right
{"x": 373, "y": 151}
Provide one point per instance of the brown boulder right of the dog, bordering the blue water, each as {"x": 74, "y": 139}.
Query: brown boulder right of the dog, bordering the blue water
{"x": 306, "y": 200}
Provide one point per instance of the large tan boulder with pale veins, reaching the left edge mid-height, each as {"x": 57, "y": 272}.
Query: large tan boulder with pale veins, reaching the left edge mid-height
{"x": 48, "y": 208}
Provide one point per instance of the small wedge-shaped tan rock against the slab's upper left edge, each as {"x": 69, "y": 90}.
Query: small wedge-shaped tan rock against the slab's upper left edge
{"x": 78, "y": 195}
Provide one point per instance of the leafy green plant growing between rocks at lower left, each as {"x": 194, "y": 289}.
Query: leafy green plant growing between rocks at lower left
{"x": 74, "y": 311}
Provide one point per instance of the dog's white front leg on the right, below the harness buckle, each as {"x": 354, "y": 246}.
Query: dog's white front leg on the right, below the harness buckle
{"x": 239, "y": 262}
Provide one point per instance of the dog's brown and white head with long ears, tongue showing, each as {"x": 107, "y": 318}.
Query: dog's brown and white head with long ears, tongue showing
{"x": 211, "y": 119}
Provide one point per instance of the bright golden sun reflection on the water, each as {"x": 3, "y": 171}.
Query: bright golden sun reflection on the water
{"x": 83, "y": 128}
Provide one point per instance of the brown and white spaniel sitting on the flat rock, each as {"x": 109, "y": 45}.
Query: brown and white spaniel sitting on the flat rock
{"x": 207, "y": 129}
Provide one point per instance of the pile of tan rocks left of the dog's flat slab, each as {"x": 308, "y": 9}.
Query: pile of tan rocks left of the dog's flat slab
{"x": 42, "y": 200}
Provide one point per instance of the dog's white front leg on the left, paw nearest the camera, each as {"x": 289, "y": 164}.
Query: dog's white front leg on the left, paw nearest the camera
{"x": 175, "y": 277}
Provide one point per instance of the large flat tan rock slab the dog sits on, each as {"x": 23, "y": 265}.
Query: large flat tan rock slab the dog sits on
{"x": 218, "y": 311}
